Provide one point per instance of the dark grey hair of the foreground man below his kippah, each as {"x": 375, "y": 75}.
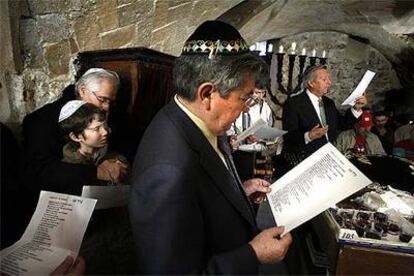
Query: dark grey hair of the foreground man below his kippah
{"x": 225, "y": 71}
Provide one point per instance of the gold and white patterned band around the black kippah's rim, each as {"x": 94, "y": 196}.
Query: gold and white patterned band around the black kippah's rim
{"x": 215, "y": 47}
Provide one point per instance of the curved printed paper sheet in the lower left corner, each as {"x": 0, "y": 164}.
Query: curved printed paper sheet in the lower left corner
{"x": 55, "y": 231}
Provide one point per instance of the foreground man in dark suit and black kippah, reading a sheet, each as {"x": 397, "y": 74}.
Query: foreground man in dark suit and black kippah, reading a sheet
{"x": 189, "y": 211}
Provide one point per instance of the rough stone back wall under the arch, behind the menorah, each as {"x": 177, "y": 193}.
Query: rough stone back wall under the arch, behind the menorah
{"x": 348, "y": 59}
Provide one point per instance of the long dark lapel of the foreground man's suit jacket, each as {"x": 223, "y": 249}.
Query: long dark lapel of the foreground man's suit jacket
{"x": 210, "y": 161}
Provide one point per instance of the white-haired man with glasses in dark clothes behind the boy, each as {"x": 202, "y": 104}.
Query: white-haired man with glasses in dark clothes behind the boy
{"x": 43, "y": 141}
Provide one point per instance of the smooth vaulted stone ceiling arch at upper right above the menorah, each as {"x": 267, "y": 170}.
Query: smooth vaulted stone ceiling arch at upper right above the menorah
{"x": 386, "y": 25}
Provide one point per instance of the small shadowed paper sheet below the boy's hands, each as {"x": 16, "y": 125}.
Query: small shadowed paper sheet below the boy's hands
{"x": 108, "y": 196}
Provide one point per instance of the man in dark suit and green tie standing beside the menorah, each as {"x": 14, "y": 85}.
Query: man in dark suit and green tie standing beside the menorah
{"x": 311, "y": 118}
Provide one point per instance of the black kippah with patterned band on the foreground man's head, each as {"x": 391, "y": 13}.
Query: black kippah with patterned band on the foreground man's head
{"x": 215, "y": 37}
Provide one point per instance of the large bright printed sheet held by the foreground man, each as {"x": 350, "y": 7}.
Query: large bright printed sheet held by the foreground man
{"x": 318, "y": 182}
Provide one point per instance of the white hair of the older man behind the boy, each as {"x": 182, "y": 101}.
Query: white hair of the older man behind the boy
{"x": 93, "y": 77}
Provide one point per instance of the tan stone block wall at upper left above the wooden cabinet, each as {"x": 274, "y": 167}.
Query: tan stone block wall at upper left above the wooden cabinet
{"x": 52, "y": 33}
